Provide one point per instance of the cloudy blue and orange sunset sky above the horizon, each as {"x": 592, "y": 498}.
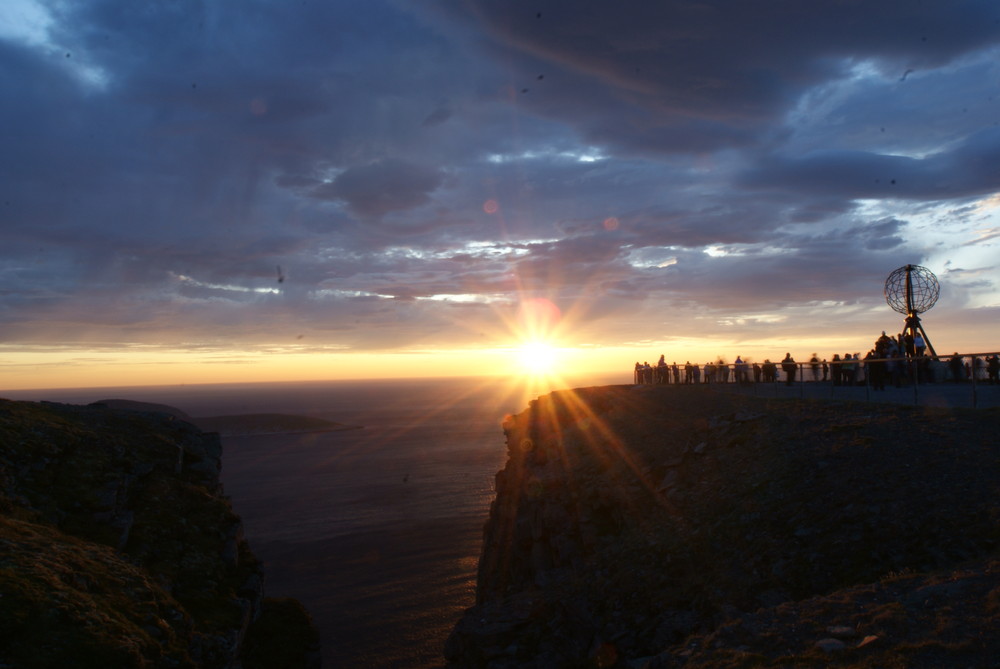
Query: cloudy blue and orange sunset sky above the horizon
{"x": 252, "y": 190}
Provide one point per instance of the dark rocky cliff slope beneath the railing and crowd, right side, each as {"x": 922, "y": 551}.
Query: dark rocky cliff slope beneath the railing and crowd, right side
{"x": 678, "y": 527}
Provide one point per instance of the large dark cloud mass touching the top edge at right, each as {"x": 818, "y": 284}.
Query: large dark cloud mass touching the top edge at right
{"x": 689, "y": 76}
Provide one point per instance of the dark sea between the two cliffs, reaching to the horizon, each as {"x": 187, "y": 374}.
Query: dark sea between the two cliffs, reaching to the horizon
{"x": 376, "y": 530}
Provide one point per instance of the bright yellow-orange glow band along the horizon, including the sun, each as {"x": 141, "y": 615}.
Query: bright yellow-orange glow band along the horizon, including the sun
{"x": 532, "y": 346}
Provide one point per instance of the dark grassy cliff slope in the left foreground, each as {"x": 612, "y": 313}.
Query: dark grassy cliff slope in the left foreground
{"x": 118, "y": 548}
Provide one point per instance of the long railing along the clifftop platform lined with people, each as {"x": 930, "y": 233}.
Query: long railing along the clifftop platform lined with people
{"x": 899, "y": 372}
